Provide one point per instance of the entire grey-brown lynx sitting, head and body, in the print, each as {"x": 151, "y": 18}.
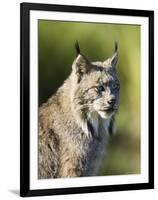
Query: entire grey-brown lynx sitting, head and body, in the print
{"x": 75, "y": 122}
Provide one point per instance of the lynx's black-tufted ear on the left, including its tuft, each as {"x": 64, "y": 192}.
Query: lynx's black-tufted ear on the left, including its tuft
{"x": 81, "y": 64}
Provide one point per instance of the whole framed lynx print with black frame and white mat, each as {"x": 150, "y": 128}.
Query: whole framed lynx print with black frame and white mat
{"x": 87, "y": 99}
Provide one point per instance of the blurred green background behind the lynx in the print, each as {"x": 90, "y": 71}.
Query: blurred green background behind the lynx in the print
{"x": 56, "y": 54}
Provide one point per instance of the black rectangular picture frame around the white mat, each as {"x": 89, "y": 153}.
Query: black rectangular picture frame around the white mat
{"x": 25, "y": 9}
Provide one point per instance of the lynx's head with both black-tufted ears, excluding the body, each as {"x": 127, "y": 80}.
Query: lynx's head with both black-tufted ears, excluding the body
{"x": 95, "y": 86}
